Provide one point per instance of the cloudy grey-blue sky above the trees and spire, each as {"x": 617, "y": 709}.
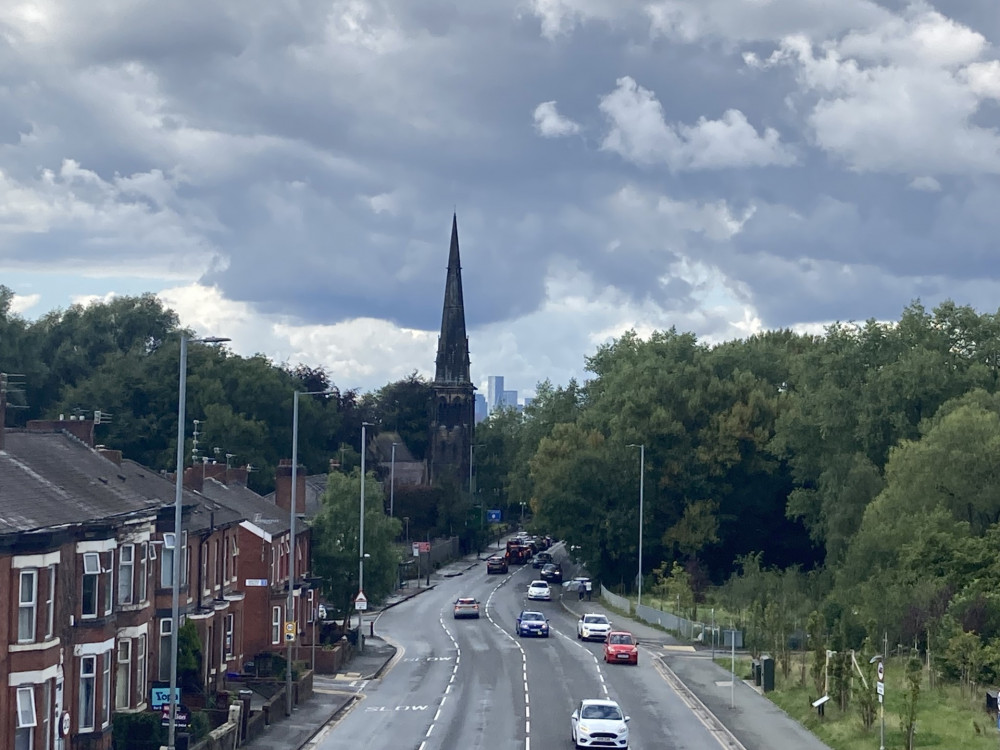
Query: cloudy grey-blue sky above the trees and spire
{"x": 283, "y": 172}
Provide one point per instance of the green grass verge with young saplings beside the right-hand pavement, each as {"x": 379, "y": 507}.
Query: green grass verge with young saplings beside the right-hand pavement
{"x": 944, "y": 715}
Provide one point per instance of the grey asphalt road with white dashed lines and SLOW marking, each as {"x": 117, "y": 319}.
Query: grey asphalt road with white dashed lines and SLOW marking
{"x": 473, "y": 684}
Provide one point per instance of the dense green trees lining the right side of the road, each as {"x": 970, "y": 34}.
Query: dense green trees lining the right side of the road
{"x": 853, "y": 473}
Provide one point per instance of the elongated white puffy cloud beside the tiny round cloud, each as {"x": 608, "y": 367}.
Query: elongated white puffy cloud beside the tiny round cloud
{"x": 639, "y": 133}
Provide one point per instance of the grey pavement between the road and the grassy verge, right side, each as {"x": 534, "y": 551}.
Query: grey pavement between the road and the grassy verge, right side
{"x": 746, "y": 719}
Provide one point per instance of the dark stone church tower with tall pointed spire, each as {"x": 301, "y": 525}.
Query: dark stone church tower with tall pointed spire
{"x": 453, "y": 410}
